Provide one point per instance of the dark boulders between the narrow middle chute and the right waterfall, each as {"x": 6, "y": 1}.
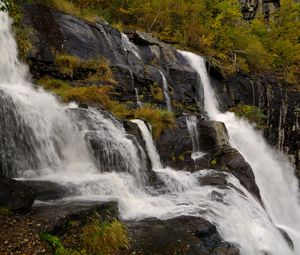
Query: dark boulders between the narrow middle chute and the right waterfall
{"x": 175, "y": 148}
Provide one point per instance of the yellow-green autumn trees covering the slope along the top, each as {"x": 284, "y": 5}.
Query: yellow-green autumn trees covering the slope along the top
{"x": 209, "y": 27}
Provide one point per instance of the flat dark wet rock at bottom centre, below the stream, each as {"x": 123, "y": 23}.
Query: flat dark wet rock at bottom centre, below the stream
{"x": 182, "y": 235}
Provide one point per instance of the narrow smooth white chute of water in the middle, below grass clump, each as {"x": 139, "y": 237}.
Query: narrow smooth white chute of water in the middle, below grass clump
{"x": 152, "y": 152}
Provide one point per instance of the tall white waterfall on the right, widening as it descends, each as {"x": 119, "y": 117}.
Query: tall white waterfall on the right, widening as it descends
{"x": 274, "y": 176}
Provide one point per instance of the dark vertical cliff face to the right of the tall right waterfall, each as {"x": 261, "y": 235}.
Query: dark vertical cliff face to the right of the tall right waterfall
{"x": 278, "y": 101}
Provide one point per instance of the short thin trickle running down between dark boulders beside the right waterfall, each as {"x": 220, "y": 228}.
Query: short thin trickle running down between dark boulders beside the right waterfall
{"x": 191, "y": 122}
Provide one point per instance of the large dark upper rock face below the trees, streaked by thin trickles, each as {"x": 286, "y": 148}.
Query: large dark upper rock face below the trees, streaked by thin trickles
{"x": 58, "y": 32}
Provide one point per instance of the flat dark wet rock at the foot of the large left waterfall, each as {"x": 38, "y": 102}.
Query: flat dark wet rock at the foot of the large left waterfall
{"x": 45, "y": 190}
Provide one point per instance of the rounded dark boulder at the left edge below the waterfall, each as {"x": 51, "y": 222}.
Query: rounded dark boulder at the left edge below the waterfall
{"x": 14, "y": 195}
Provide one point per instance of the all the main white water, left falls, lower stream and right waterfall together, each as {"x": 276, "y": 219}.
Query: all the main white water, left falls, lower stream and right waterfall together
{"x": 62, "y": 138}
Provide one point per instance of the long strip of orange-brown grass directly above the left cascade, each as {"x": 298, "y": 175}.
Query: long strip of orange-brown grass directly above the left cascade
{"x": 86, "y": 94}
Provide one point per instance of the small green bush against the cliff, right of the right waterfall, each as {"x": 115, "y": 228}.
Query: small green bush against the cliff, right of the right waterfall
{"x": 252, "y": 113}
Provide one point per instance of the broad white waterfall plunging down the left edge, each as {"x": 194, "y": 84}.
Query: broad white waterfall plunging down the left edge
{"x": 50, "y": 142}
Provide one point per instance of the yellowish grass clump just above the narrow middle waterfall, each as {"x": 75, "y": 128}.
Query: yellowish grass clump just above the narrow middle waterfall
{"x": 159, "y": 119}
